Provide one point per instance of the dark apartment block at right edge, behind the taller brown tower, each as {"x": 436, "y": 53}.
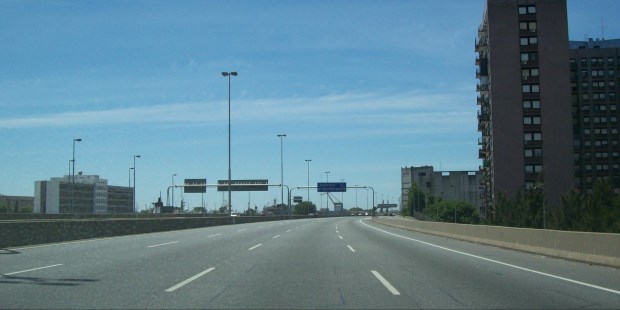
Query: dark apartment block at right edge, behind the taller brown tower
{"x": 595, "y": 75}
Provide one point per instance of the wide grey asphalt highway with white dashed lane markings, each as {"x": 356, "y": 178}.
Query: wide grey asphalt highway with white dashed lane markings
{"x": 325, "y": 263}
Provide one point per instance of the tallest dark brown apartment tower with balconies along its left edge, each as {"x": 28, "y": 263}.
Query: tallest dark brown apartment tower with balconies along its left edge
{"x": 524, "y": 97}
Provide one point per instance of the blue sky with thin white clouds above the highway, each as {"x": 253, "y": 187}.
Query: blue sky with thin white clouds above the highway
{"x": 362, "y": 88}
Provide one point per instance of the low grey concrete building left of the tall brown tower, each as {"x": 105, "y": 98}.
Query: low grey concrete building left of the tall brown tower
{"x": 447, "y": 185}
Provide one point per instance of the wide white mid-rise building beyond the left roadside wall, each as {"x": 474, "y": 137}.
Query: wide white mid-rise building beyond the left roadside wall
{"x": 87, "y": 194}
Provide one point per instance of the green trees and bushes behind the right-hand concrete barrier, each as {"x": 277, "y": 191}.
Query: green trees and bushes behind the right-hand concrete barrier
{"x": 595, "y": 211}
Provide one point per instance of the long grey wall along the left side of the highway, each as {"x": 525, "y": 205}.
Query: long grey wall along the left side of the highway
{"x": 15, "y": 233}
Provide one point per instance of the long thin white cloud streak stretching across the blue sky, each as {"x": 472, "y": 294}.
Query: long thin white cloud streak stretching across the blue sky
{"x": 350, "y": 108}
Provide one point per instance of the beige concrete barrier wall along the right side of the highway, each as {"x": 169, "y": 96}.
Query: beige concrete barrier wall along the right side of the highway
{"x": 596, "y": 248}
